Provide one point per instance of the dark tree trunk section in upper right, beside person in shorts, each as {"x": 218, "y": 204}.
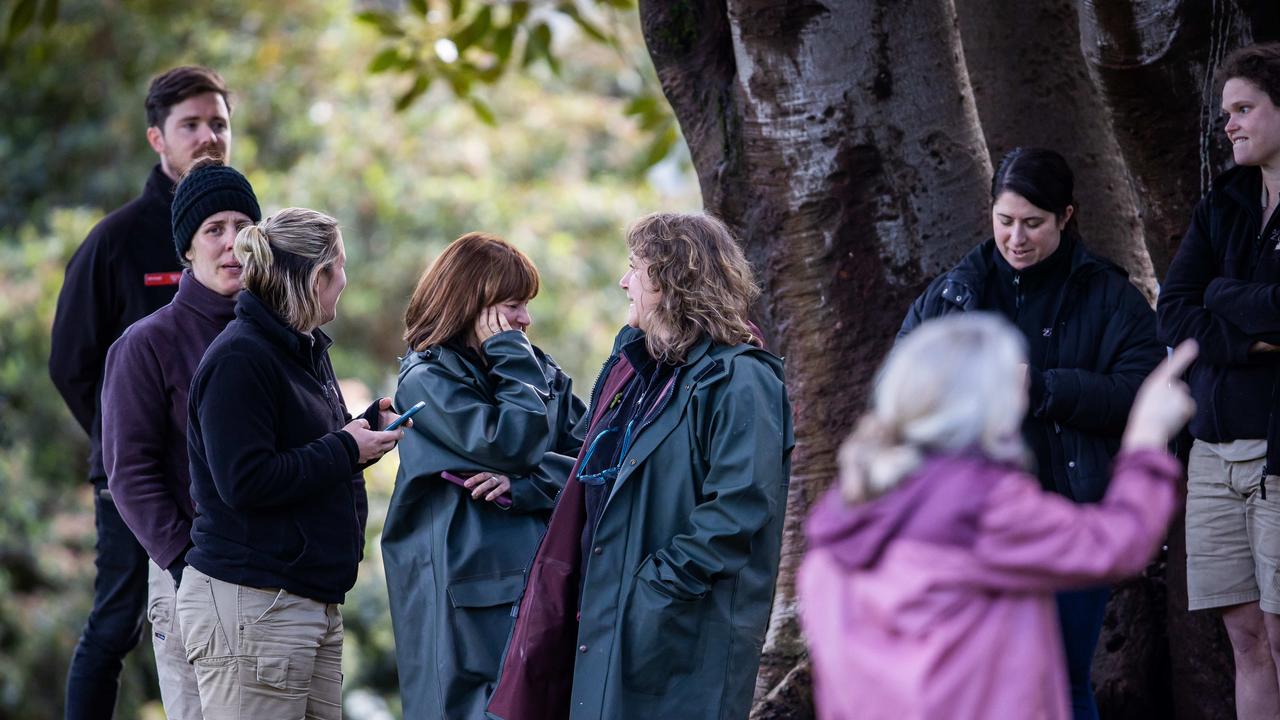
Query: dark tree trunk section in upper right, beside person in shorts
{"x": 1154, "y": 63}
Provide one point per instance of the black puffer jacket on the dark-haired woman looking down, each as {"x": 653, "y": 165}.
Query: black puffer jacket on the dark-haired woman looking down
{"x": 1103, "y": 347}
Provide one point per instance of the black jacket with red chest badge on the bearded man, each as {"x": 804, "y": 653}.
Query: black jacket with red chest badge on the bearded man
{"x": 126, "y": 270}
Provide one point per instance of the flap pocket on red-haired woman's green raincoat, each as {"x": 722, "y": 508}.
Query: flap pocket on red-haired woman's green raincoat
{"x": 481, "y": 610}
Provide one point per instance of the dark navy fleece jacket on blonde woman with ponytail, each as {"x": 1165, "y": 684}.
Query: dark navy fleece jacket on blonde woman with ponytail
{"x": 278, "y": 493}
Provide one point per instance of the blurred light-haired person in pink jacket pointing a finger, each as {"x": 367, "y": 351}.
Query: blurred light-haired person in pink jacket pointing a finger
{"x": 929, "y": 587}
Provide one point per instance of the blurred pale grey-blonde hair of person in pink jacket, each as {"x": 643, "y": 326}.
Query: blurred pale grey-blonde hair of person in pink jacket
{"x": 952, "y": 386}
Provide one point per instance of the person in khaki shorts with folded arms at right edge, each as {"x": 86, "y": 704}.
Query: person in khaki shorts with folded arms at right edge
{"x": 1223, "y": 289}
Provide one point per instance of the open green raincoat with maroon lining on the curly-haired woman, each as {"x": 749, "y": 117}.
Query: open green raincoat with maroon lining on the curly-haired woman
{"x": 680, "y": 578}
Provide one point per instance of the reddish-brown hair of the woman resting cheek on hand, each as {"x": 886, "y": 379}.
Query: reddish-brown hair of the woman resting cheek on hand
{"x": 474, "y": 272}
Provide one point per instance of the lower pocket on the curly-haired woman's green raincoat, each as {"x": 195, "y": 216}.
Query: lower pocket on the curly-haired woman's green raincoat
{"x": 661, "y": 636}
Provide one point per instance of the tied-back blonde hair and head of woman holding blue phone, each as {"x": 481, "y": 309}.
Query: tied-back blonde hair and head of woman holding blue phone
{"x": 282, "y": 258}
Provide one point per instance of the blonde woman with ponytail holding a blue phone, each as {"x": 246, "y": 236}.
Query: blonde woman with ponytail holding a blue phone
{"x": 276, "y": 481}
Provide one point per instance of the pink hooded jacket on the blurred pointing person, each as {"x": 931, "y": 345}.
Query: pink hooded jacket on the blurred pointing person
{"x": 936, "y": 599}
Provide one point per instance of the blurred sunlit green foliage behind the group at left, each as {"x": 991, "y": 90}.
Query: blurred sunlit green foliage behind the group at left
{"x": 550, "y": 162}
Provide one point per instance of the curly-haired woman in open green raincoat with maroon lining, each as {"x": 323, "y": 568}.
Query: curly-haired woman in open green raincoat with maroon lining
{"x": 652, "y": 589}
